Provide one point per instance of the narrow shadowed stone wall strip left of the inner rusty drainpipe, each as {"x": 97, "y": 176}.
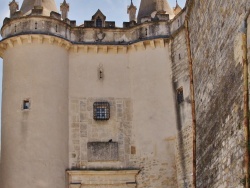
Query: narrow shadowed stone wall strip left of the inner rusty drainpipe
{"x": 184, "y": 148}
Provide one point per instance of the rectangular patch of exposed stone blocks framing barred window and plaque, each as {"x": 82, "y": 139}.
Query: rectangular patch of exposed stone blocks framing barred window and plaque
{"x": 84, "y": 130}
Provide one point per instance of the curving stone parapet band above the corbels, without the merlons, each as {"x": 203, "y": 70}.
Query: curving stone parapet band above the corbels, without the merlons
{"x": 41, "y": 25}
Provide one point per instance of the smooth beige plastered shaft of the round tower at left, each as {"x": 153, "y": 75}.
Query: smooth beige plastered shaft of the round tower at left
{"x": 35, "y": 141}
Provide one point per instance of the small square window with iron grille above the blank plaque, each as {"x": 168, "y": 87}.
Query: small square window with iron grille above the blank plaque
{"x": 101, "y": 110}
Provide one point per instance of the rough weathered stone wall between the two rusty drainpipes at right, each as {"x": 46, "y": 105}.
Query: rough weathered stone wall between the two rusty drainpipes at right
{"x": 218, "y": 85}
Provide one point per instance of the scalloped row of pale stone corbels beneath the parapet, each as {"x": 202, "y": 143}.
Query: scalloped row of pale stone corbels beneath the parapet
{"x": 81, "y": 48}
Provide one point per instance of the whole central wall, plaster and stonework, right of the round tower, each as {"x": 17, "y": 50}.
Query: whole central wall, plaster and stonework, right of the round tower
{"x": 132, "y": 76}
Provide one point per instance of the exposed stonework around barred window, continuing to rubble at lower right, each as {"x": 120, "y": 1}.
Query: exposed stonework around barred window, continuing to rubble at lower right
{"x": 155, "y": 173}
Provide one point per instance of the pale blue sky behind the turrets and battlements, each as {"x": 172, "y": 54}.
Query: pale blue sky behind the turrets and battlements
{"x": 80, "y": 10}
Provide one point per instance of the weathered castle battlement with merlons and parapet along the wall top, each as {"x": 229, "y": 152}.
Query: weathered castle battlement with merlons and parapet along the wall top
{"x": 149, "y": 28}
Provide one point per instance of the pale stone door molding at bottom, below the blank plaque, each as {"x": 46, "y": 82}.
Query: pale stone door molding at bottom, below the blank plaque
{"x": 102, "y": 178}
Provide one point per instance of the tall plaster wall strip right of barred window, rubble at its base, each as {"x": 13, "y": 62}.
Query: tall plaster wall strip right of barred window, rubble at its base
{"x": 155, "y": 128}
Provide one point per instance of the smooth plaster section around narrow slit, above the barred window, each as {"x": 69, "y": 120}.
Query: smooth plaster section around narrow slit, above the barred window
{"x": 84, "y": 79}
